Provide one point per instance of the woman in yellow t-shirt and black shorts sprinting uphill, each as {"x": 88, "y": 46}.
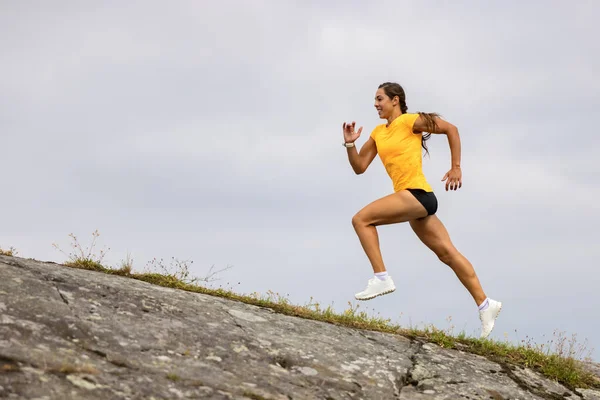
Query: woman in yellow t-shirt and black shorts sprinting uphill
{"x": 398, "y": 143}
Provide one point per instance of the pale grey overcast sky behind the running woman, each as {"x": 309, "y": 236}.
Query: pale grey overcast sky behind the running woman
{"x": 211, "y": 131}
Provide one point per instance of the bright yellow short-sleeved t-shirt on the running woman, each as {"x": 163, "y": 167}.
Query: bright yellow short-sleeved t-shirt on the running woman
{"x": 400, "y": 152}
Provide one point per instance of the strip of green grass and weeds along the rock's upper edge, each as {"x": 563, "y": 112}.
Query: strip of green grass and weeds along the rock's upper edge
{"x": 559, "y": 359}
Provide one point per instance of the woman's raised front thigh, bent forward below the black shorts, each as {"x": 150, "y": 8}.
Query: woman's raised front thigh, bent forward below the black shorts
{"x": 397, "y": 207}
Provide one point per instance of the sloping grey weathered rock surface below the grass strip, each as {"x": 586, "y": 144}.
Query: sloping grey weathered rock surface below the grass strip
{"x": 75, "y": 334}
